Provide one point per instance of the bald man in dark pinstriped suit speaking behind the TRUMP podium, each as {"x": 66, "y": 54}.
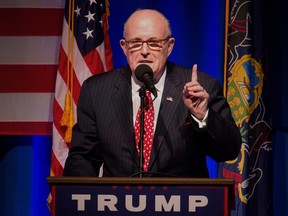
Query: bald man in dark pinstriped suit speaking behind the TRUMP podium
{"x": 192, "y": 118}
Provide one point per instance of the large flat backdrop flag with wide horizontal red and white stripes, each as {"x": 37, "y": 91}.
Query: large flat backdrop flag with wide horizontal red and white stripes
{"x": 30, "y": 35}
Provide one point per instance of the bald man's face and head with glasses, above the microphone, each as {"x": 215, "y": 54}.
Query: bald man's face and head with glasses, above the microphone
{"x": 147, "y": 26}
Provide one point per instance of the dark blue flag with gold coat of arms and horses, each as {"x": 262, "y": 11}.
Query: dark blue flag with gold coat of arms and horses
{"x": 245, "y": 78}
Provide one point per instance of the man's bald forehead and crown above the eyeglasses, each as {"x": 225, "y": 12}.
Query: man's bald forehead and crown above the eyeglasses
{"x": 145, "y": 25}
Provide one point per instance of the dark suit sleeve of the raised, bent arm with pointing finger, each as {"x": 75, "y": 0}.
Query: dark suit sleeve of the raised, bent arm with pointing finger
{"x": 222, "y": 136}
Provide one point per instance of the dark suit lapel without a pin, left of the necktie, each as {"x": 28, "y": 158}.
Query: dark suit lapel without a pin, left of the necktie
{"x": 123, "y": 107}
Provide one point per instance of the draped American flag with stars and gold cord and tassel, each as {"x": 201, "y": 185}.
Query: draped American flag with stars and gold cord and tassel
{"x": 85, "y": 50}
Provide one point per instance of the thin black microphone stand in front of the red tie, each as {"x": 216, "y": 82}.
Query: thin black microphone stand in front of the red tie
{"x": 142, "y": 95}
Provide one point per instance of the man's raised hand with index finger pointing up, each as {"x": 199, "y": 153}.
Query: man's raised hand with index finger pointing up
{"x": 195, "y": 97}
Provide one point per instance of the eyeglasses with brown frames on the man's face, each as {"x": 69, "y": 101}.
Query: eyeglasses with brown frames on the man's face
{"x": 153, "y": 44}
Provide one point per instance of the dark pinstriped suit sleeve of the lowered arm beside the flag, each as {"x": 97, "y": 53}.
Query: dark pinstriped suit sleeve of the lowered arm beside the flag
{"x": 83, "y": 158}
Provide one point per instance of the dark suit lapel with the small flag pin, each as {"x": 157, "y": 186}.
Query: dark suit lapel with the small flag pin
{"x": 172, "y": 94}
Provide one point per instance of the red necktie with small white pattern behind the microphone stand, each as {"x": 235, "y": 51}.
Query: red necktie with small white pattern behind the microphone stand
{"x": 148, "y": 130}
